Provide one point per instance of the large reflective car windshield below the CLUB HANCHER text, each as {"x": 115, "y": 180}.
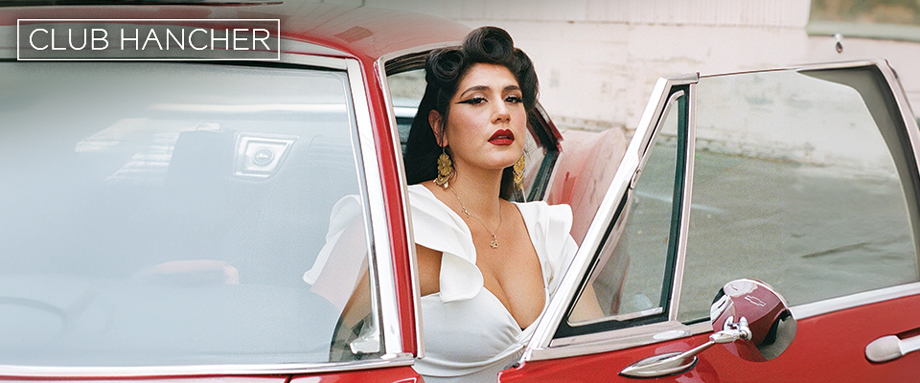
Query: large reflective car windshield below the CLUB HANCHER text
{"x": 179, "y": 214}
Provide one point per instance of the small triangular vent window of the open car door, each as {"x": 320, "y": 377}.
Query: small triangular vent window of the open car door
{"x": 634, "y": 268}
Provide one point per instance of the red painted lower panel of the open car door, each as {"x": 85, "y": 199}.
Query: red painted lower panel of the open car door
{"x": 828, "y": 347}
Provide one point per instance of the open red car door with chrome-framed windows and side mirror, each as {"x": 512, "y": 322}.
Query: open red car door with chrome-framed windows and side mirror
{"x": 803, "y": 178}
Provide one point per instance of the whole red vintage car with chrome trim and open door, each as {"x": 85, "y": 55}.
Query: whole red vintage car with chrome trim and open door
{"x": 188, "y": 220}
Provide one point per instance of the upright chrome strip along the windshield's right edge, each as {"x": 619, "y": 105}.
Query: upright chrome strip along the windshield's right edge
{"x": 385, "y": 275}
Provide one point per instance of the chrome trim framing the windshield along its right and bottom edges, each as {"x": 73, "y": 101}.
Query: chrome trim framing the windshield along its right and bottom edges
{"x": 382, "y": 268}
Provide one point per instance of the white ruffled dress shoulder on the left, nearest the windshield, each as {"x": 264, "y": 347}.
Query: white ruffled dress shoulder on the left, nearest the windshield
{"x": 437, "y": 227}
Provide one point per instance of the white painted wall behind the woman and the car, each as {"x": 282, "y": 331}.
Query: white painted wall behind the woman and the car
{"x": 597, "y": 60}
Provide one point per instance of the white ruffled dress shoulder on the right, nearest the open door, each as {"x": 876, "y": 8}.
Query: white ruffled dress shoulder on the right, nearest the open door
{"x": 549, "y": 227}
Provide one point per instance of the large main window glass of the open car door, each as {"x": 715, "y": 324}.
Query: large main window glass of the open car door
{"x": 800, "y": 180}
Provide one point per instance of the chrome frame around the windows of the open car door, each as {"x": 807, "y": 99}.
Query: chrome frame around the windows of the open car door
{"x": 543, "y": 347}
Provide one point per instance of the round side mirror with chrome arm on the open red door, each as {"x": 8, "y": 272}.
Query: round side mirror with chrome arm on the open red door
{"x": 751, "y": 319}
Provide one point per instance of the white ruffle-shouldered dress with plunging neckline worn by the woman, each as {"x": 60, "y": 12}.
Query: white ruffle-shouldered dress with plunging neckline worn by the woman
{"x": 469, "y": 335}
